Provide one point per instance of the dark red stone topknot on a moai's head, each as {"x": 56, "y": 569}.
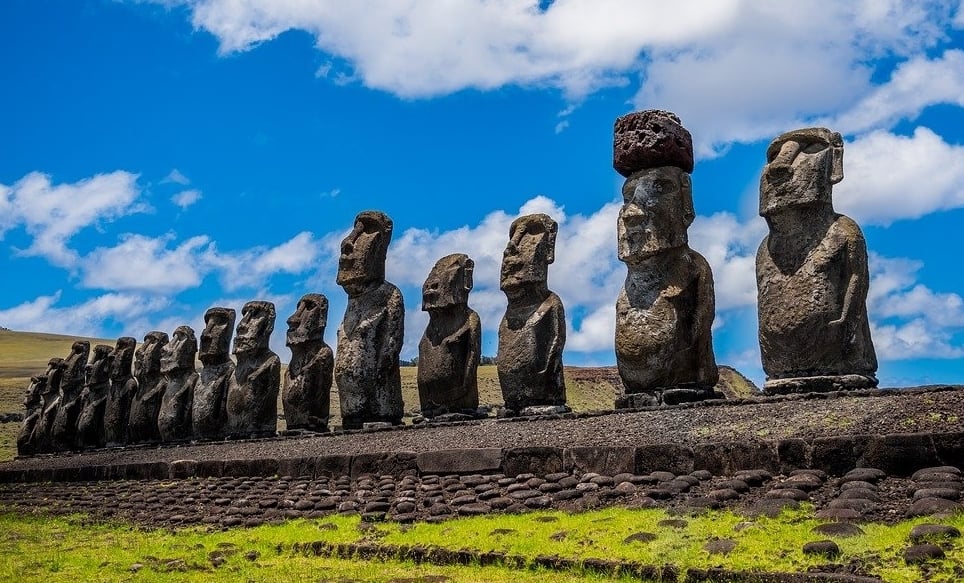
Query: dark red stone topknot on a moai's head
{"x": 649, "y": 139}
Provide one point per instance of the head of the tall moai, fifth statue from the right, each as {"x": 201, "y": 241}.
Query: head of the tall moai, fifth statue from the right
{"x": 363, "y": 252}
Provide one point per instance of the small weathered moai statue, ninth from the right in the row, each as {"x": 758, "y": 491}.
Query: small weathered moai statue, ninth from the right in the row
{"x": 178, "y": 381}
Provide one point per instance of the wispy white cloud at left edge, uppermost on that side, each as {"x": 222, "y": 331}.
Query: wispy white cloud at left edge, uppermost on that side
{"x": 52, "y": 214}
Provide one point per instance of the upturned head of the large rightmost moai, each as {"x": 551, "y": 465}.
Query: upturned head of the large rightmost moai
{"x": 802, "y": 167}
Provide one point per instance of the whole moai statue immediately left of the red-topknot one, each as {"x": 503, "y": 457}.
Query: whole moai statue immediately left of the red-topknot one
{"x": 532, "y": 333}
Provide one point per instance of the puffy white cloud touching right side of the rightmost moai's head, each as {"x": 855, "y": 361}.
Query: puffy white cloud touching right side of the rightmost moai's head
{"x": 889, "y": 177}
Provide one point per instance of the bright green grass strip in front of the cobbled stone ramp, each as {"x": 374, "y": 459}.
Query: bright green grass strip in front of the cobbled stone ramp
{"x": 34, "y": 548}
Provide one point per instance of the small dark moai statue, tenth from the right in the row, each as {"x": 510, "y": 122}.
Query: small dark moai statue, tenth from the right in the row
{"x": 142, "y": 426}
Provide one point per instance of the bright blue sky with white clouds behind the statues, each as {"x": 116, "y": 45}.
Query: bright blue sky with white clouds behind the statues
{"x": 161, "y": 157}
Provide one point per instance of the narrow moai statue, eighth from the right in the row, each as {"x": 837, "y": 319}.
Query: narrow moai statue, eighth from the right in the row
{"x": 210, "y": 413}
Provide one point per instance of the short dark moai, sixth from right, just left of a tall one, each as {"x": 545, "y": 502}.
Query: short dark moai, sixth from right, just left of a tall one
{"x": 307, "y": 385}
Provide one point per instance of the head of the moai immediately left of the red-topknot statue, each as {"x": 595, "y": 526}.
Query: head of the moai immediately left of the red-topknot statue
{"x": 531, "y": 248}
